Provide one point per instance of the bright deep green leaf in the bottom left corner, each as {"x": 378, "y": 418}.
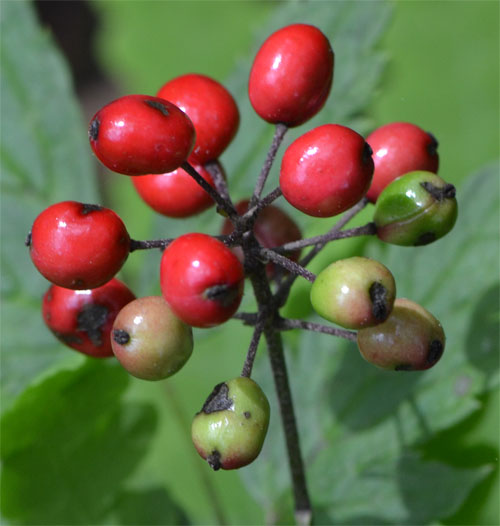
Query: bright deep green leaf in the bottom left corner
{"x": 68, "y": 444}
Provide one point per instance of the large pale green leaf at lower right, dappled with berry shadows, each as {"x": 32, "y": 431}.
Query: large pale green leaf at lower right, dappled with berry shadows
{"x": 361, "y": 427}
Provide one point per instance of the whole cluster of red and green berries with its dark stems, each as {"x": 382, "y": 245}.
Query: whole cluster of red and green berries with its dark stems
{"x": 170, "y": 145}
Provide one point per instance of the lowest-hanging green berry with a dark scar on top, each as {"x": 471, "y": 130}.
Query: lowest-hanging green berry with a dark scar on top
{"x": 230, "y": 429}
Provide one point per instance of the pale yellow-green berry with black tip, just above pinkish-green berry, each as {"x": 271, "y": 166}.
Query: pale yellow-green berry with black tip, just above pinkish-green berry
{"x": 354, "y": 293}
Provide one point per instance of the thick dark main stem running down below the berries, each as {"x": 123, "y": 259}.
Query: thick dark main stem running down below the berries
{"x": 303, "y": 512}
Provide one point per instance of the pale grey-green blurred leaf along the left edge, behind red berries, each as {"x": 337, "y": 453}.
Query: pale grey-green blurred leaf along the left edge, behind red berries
{"x": 44, "y": 159}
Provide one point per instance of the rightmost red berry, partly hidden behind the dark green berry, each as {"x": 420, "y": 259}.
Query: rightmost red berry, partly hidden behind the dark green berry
{"x": 399, "y": 148}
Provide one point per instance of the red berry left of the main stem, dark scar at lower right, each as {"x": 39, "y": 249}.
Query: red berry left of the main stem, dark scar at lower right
{"x": 201, "y": 279}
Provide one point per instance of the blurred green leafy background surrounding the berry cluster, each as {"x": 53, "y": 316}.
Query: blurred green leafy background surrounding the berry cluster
{"x": 83, "y": 443}
